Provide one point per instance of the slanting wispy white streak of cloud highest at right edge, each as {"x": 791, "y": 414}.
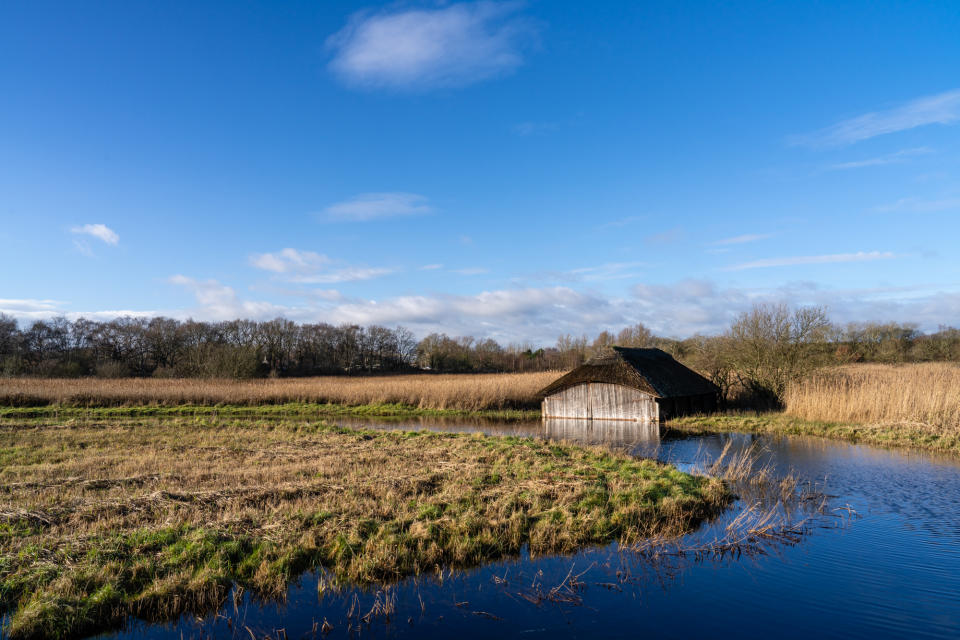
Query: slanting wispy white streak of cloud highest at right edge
{"x": 943, "y": 108}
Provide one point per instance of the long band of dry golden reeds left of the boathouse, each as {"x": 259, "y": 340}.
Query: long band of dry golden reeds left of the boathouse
{"x": 467, "y": 392}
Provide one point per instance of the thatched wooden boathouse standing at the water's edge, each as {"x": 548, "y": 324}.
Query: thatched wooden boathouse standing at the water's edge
{"x": 629, "y": 384}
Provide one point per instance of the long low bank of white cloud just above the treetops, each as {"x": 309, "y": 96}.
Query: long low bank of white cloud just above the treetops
{"x": 539, "y": 315}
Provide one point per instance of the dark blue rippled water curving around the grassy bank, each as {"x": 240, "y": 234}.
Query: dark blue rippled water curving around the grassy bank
{"x": 891, "y": 572}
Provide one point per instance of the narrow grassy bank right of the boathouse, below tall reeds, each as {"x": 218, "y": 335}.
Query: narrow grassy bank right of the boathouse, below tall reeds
{"x": 903, "y": 434}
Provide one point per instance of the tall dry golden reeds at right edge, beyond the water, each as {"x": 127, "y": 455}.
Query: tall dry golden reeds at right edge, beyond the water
{"x": 924, "y": 395}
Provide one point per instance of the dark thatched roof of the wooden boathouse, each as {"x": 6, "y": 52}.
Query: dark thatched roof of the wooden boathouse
{"x": 650, "y": 370}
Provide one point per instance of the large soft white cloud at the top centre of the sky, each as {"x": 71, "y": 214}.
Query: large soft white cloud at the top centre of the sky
{"x": 454, "y": 45}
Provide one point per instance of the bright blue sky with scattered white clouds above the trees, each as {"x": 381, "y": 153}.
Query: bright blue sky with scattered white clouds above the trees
{"x": 512, "y": 170}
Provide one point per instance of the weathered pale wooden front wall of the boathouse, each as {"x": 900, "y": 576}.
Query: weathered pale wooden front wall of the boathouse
{"x": 601, "y": 401}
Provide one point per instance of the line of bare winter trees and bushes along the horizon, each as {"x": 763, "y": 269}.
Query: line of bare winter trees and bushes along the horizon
{"x": 761, "y": 352}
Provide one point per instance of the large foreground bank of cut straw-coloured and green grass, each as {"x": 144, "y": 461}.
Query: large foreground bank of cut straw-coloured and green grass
{"x": 154, "y": 516}
